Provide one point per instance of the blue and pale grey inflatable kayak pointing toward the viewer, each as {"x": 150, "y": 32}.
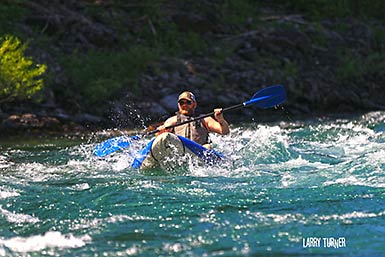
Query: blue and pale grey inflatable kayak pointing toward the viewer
{"x": 169, "y": 151}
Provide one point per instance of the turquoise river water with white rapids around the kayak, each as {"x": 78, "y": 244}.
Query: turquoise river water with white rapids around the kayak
{"x": 285, "y": 187}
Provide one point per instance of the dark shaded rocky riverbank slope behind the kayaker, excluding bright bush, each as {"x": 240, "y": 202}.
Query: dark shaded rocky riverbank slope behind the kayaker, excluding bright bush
{"x": 118, "y": 66}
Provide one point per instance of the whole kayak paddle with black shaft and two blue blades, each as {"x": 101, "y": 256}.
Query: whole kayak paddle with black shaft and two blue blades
{"x": 265, "y": 98}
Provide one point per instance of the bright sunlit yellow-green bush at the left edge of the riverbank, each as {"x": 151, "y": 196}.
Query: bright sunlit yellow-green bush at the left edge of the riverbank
{"x": 20, "y": 78}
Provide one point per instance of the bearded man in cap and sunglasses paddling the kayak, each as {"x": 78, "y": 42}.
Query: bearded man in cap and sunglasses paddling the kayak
{"x": 198, "y": 130}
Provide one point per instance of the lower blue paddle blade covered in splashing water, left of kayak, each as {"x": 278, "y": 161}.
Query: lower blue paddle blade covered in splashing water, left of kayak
{"x": 113, "y": 144}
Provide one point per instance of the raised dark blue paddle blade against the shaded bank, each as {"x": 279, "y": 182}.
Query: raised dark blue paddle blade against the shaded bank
{"x": 268, "y": 97}
